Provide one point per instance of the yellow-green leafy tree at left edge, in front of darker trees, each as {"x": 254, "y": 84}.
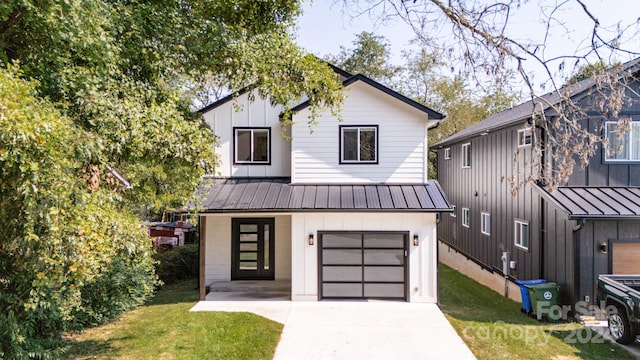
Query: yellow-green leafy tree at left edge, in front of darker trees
{"x": 69, "y": 256}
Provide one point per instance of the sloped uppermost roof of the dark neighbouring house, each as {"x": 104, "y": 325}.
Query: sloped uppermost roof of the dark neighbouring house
{"x": 524, "y": 111}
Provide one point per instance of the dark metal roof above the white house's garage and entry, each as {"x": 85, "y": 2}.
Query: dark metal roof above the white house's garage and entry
{"x": 277, "y": 194}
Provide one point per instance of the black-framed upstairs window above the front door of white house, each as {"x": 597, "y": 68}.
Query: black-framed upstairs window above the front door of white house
{"x": 252, "y": 145}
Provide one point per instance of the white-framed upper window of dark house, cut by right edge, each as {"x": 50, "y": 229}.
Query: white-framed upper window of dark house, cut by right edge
{"x": 622, "y": 146}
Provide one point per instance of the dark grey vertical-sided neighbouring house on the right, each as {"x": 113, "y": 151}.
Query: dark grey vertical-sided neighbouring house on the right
{"x": 589, "y": 226}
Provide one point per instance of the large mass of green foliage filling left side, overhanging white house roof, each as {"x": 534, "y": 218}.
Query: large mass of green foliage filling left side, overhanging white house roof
{"x": 89, "y": 86}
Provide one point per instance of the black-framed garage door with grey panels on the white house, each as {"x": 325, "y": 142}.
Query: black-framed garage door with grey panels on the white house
{"x": 363, "y": 265}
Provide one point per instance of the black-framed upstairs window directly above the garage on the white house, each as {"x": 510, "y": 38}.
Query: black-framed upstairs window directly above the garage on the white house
{"x": 359, "y": 144}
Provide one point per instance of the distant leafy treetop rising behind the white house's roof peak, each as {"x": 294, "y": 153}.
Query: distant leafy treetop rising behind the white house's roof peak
{"x": 370, "y": 56}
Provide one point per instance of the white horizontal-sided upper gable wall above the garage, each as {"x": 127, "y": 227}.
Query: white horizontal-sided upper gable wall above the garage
{"x": 402, "y": 141}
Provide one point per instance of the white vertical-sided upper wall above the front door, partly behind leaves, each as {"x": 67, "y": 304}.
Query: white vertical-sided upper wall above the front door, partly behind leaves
{"x": 241, "y": 112}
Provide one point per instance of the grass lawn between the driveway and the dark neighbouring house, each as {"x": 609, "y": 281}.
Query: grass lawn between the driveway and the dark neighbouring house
{"x": 494, "y": 328}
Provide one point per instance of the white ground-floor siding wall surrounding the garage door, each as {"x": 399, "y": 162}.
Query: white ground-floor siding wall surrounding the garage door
{"x": 422, "y": 259}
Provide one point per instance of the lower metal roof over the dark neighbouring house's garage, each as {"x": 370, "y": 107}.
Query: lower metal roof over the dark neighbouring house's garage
{"x": 598, "y": 202}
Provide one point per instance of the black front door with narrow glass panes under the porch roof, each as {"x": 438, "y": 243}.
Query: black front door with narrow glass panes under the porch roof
{"x": 261, "y": 273}
